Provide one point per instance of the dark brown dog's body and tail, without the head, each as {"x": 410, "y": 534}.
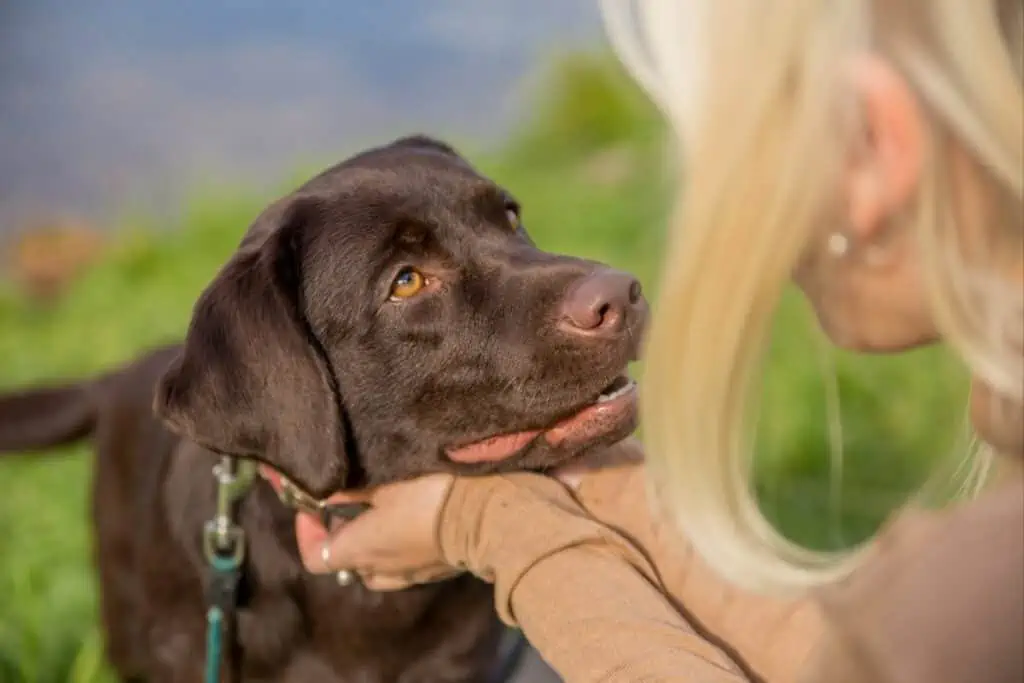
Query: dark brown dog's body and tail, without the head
{"x": 152, "y": 495}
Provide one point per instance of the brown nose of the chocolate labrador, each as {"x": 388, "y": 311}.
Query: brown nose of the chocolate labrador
{"x": 600, "y": 305}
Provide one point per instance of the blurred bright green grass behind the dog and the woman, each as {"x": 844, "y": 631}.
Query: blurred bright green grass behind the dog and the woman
{"x": 589, "y": 174}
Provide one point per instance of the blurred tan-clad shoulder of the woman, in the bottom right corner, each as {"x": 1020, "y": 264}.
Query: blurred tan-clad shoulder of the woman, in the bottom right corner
{"x": 941, "y": 602}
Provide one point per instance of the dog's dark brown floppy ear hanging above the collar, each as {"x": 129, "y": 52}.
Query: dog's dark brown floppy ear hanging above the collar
{"x": 252, "y": 379}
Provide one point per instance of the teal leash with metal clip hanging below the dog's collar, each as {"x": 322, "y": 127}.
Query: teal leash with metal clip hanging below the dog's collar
{"x": 225, "y": 548}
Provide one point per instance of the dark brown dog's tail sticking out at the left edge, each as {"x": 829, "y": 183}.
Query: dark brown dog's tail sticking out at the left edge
{"x": 48, "y": 417}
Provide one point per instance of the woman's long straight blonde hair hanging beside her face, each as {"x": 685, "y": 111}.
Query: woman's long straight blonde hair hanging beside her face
{"x": 758, "y": 96}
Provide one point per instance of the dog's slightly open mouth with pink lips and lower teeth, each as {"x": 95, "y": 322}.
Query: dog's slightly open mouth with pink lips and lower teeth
{"x": 615, "y": 409}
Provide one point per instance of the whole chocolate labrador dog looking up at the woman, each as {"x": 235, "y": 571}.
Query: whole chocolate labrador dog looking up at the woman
{"x": 390, "y": 319}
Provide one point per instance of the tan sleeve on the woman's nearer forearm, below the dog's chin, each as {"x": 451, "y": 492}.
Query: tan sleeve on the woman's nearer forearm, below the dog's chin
{"x": 583, "y": 595}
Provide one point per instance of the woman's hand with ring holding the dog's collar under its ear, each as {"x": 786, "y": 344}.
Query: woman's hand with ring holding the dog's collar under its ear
{"x": 393, "y": 546}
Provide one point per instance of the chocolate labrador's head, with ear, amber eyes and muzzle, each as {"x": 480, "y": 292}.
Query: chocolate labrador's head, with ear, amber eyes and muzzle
{"x": 392, "y": 319}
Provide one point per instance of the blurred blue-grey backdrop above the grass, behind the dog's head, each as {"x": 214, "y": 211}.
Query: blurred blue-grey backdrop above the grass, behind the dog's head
{"x": 109, "y": 104}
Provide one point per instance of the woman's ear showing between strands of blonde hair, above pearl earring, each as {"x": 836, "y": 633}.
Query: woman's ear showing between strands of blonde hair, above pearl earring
{"x": 885, "y": 165}
